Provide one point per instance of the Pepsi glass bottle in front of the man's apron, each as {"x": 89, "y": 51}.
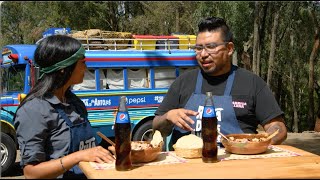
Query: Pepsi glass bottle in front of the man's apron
{"x": 209, "y": 131}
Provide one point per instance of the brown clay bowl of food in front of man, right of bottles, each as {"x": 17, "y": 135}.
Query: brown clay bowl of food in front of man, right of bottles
{"x": 249, "y": 144}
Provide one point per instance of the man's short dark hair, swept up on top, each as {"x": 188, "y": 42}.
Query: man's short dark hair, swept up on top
{"x": 215, "y": 24}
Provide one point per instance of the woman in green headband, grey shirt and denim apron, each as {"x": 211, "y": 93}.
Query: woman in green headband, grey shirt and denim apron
{"x": 53, "y": 131}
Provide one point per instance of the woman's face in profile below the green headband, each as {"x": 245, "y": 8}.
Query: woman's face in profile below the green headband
{"x": 78, "y": 73}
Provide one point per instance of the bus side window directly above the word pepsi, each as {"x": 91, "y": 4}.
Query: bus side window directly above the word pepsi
{"x": 138, "y": 78}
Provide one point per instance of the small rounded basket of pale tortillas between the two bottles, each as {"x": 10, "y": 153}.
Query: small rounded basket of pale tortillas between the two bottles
{"x": 188, "y": 146}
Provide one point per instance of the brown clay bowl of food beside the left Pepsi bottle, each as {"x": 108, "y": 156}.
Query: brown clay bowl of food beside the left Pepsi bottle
{"x": 143, "y": 152}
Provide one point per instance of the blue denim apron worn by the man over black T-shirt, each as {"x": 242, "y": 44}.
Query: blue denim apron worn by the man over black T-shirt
{"x": 227, "y": 121}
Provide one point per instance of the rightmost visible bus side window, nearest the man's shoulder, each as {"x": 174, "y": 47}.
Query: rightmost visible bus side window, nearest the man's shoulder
{"x": 164, "y": 77}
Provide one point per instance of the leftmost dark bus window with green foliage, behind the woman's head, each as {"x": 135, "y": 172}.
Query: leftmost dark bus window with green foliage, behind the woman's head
{"x": 13, "y": 78}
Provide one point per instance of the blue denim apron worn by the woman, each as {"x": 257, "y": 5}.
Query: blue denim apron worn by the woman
{"x": 82, "y": 137}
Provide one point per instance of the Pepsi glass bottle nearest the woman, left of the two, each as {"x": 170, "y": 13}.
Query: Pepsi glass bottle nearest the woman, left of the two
{"x": 122, "y": 128}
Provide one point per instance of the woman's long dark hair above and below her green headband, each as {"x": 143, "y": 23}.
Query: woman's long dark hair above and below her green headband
{"x": 50, "y": 51}
